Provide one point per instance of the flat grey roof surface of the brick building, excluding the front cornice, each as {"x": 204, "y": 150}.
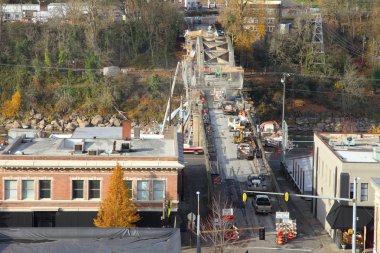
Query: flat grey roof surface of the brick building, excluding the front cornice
{"x": 103, "y": 141}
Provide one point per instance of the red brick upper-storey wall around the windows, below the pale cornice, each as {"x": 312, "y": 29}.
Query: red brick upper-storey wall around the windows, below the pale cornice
{"x": 61, "y": 185}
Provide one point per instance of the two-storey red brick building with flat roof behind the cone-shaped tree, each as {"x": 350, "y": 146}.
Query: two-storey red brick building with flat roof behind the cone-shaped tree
{"x": 60, "y": 182}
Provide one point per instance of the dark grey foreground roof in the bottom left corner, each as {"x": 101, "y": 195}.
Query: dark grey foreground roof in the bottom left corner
{"x": 85, "y": 240}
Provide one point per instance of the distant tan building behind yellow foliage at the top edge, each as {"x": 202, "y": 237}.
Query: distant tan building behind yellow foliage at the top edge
{"x": 263, "y": 14}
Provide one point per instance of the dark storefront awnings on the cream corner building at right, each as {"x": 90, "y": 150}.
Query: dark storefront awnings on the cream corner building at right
{"x": 340, "y": 216}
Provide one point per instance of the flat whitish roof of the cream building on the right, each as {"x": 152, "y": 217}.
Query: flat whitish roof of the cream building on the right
{"x": 353, "y": 147}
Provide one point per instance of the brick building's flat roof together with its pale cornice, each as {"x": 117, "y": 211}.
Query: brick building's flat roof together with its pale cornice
{"x": 94, "y": 147}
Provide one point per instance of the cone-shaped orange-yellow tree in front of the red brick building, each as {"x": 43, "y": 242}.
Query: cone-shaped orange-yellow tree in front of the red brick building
{"x": 117, "y": 210}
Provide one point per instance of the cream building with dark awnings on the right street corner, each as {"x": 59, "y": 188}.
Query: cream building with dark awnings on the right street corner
{"x": 338, "y": 159}
